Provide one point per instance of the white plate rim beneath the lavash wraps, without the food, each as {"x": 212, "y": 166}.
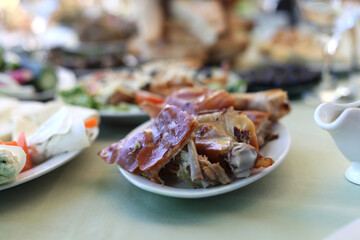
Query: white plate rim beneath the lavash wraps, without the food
{"x": 45, "y": 167}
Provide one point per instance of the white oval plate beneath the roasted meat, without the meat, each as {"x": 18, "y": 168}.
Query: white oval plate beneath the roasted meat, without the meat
{"x": 276, "y": 149}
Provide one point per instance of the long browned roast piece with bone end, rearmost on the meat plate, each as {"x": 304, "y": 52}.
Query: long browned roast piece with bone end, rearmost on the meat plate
{"x": 194, "y": 100}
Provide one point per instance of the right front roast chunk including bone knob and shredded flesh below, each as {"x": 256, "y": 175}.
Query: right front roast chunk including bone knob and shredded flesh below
{"x": 224, "y": 148}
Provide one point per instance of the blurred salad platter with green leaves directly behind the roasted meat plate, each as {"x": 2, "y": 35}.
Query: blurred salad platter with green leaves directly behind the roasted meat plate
{"x": 116, "y": 94}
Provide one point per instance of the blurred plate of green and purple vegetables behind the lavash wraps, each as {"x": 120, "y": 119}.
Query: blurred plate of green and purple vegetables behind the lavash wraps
{"x": 27, "y": 79}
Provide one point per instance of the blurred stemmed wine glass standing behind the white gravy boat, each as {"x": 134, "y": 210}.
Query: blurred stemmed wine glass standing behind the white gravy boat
{"x": 330, "y": 19}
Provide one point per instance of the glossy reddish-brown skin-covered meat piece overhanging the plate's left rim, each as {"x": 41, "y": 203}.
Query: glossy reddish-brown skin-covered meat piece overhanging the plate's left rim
{"x": 146, "y": 152}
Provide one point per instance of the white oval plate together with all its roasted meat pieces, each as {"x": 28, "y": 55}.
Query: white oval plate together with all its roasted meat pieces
{"x": 202, "y": 142}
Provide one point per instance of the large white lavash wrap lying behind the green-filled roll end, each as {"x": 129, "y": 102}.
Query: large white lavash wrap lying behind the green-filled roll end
{"x": 63, "y": 131}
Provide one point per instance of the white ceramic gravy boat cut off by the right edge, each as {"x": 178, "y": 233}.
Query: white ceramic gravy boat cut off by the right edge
{"x": 342, "y": 121}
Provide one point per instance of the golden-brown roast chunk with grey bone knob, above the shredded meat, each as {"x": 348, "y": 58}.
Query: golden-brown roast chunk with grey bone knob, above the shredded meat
{"x": 229, "y": 138}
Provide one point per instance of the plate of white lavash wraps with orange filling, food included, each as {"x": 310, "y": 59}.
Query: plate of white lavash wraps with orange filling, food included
{"x": 36, "y": 138}
